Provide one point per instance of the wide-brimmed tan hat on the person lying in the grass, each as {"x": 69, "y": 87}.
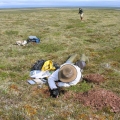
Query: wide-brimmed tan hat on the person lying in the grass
{"x": 67, "y": 73}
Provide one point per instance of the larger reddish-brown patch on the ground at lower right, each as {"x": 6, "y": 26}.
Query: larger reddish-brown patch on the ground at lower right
{"x": 97, "y": 98}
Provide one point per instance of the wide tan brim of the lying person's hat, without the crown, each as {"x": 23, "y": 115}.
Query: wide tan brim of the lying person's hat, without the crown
{"x": 68, "y": 79}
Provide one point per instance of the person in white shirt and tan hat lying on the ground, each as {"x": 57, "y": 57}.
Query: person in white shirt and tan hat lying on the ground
{"x": 67, "y": 75}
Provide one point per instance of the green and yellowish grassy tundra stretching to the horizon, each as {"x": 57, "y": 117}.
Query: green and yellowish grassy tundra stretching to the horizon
{"x": 61, "y": 33}
